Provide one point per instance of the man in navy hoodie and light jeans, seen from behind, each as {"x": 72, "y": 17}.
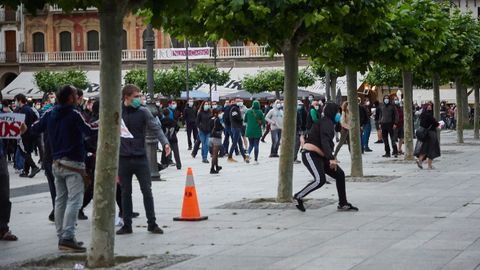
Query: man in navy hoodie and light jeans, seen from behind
{"x": 67, "y": 131}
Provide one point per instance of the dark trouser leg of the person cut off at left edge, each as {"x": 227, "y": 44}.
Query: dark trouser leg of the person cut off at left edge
{"x": 5, "y": 204}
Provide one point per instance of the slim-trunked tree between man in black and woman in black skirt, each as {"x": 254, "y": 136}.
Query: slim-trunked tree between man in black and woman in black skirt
{"x": 417, "y": 32}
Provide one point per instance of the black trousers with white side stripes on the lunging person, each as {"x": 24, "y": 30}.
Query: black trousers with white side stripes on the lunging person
{"x": 318, "y": 167}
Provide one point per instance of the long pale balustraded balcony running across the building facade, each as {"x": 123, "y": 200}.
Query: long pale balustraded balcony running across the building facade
{"x": 170, "y": 54}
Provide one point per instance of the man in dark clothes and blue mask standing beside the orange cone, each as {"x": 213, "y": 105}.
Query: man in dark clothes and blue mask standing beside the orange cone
{"x": 133, "y": 157}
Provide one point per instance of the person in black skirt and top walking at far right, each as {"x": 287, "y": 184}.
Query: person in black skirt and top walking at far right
{"x": 429, "y": 148}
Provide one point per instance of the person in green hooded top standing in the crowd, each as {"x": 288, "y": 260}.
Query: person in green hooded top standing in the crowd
{"x": 254, "y": 119}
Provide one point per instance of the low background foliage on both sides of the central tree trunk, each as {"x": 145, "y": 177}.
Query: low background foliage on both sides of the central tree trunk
{"x": 273, "y": 80}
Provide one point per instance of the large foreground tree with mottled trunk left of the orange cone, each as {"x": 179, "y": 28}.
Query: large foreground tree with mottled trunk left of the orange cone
{"x": 111, "y": 14}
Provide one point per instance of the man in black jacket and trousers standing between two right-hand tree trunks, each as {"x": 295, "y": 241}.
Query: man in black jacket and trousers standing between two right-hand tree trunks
{"x": 388, "y": 122}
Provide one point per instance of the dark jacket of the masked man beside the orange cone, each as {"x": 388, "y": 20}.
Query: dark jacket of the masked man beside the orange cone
{"x": 137, "y": 121}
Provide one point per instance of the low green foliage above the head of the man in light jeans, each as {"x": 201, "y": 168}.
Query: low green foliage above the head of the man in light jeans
{"x": 49, "y": 81}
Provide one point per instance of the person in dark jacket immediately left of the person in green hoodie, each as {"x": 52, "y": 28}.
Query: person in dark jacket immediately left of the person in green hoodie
{"x": 236, "y": 121}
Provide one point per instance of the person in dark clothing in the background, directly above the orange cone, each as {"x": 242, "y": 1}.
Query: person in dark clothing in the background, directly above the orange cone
{"x": 170, "y": 129}
